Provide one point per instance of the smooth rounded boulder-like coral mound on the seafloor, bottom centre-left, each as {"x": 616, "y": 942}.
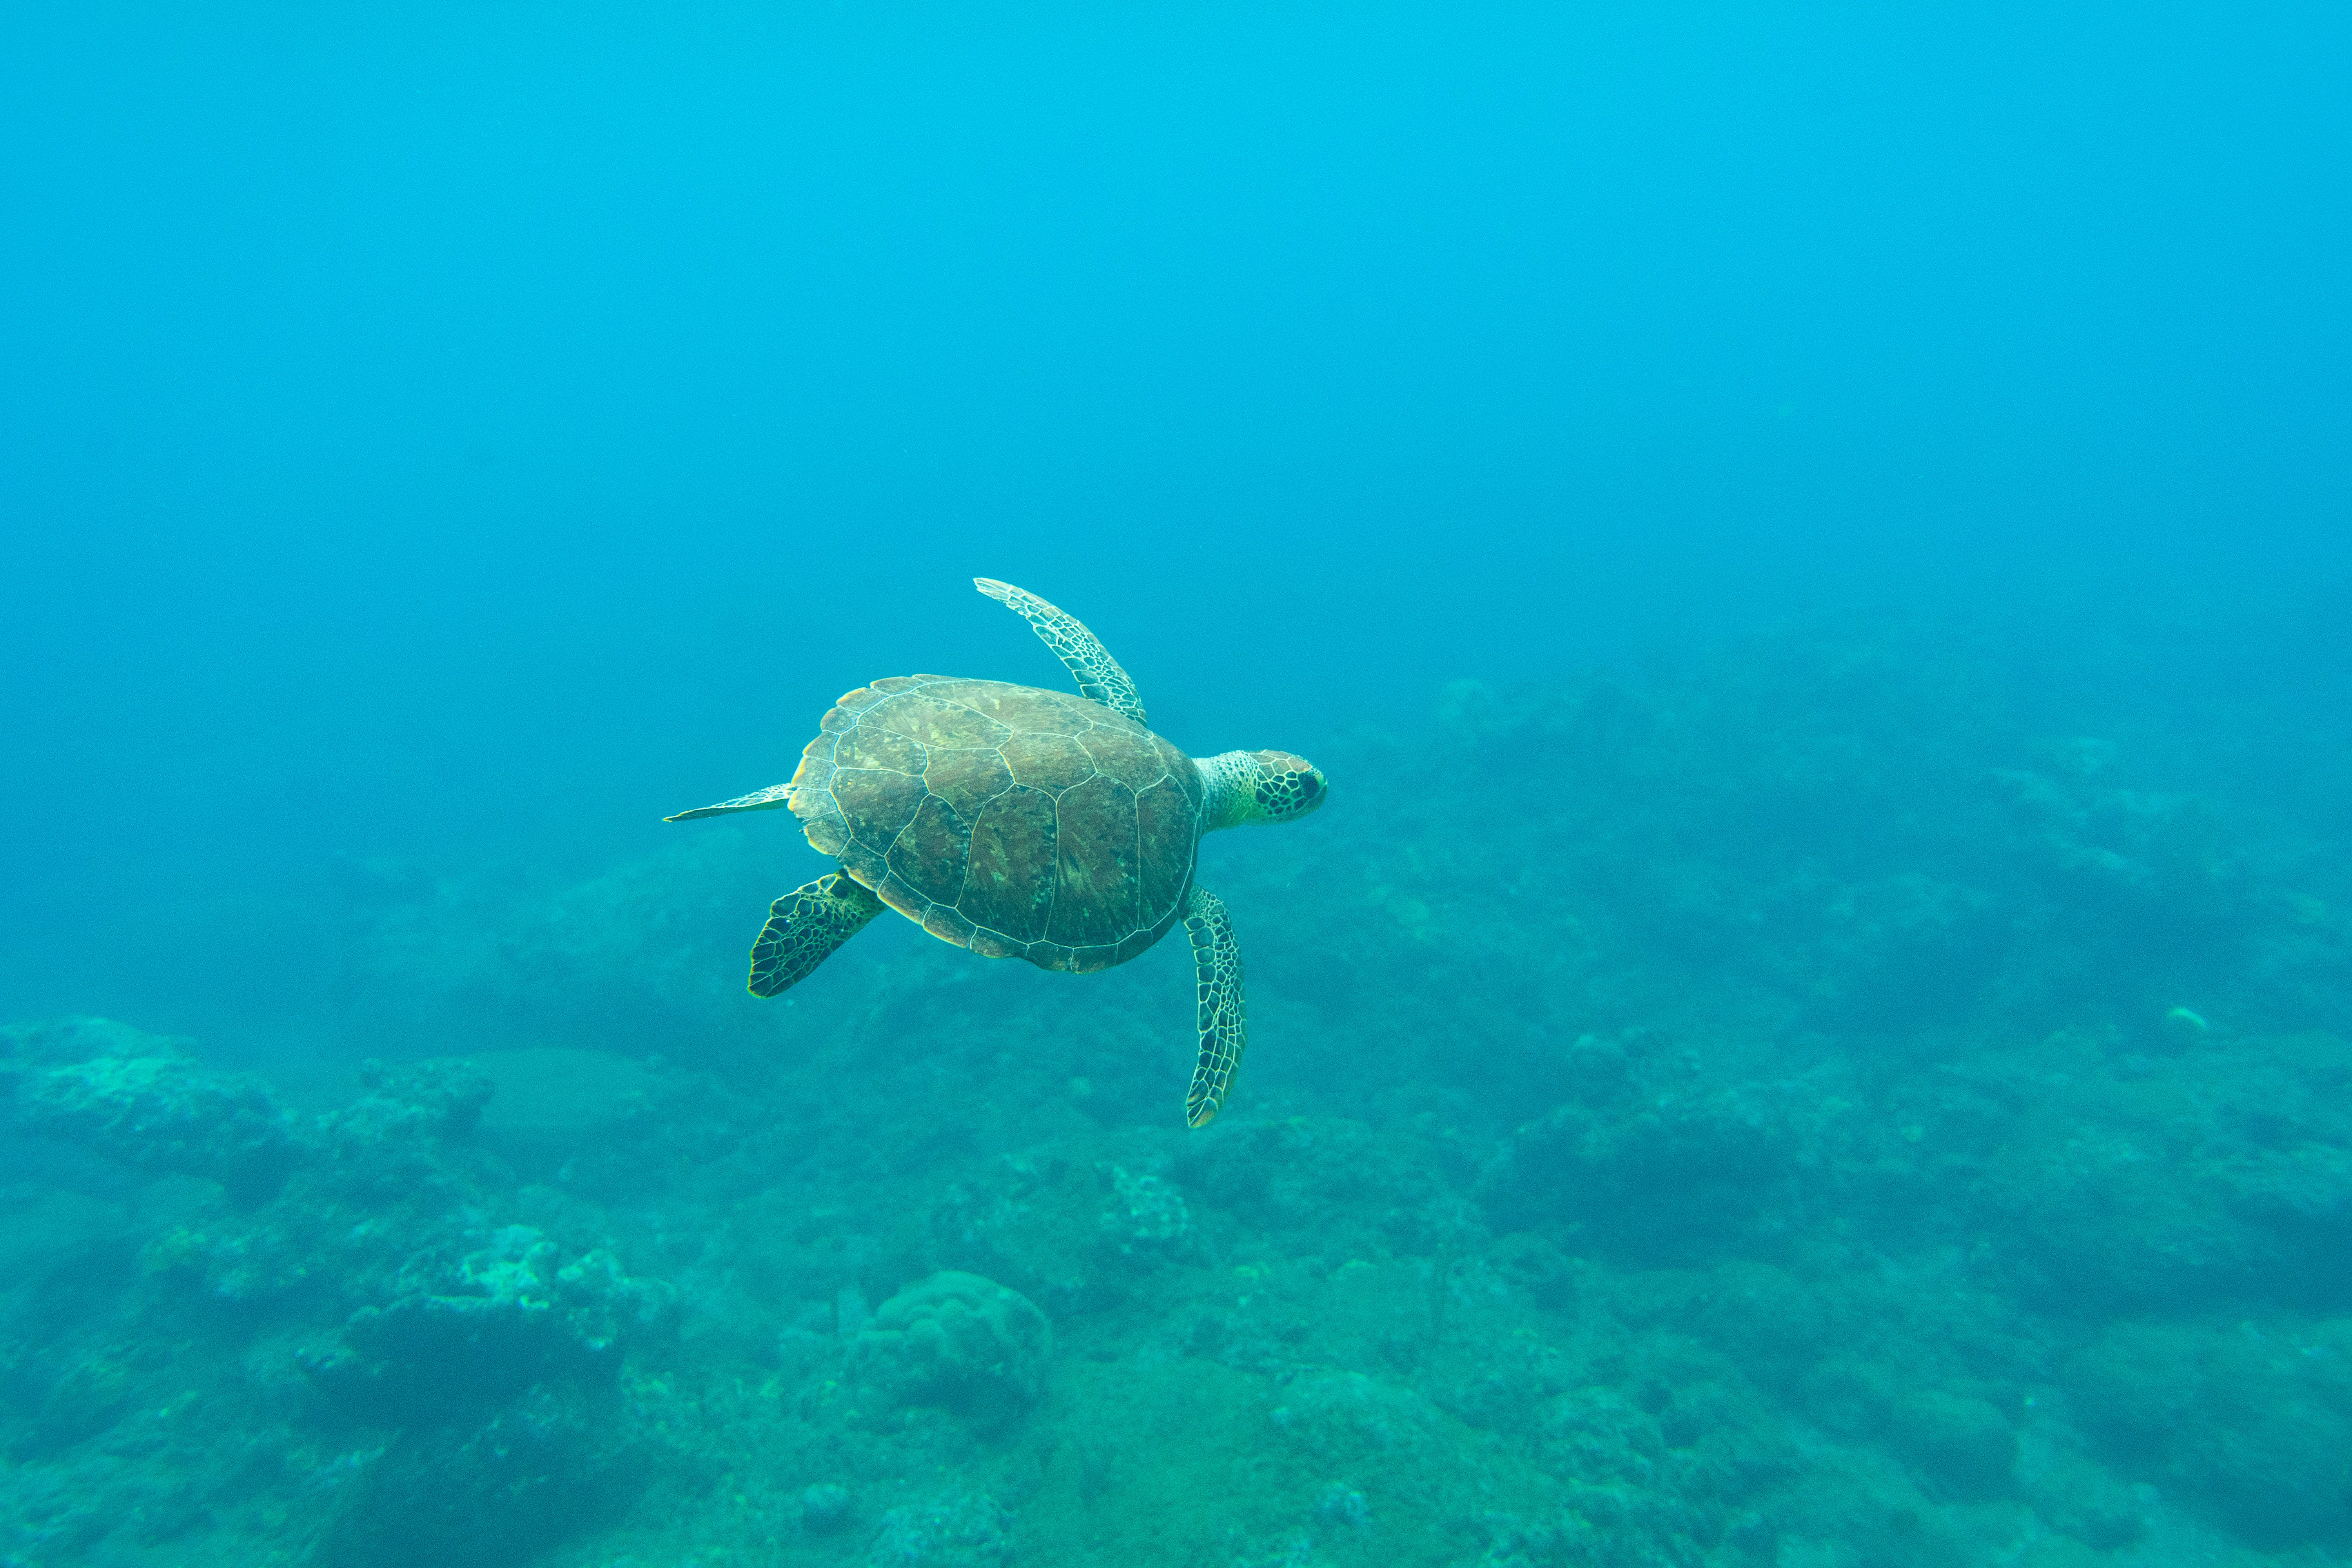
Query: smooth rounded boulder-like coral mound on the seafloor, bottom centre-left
{"x": 961, "y": 1343}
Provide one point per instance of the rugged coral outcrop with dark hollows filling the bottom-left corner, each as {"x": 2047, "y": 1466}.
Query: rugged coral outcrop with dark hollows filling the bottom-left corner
{"x": 359, "y": 1327}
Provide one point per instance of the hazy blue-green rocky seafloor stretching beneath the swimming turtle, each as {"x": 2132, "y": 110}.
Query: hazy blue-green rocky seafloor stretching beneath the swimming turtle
{"x": 1869, "y": 1097}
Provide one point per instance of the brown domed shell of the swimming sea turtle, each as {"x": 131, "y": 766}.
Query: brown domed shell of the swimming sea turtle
{"x": 1005, "y": 819}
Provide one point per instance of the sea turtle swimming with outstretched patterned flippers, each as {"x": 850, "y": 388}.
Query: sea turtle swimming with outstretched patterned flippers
{"x": 1024, "y": 824}
